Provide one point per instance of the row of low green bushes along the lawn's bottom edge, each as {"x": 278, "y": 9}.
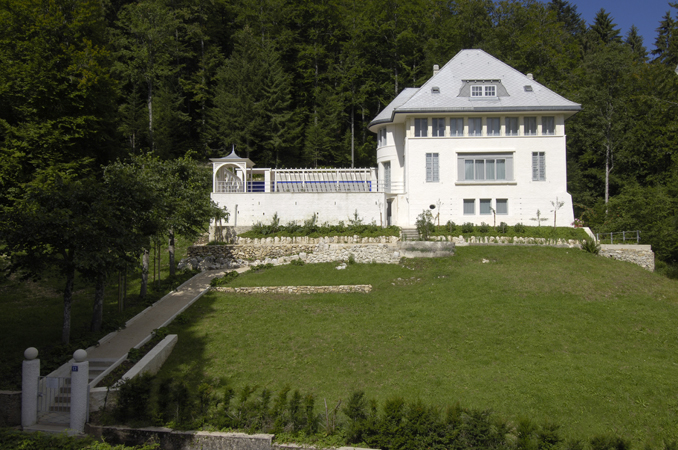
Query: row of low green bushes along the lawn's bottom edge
{"x": 397, "y": 424}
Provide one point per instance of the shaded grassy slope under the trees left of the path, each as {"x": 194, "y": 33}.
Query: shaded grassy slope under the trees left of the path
{"x": 32, "y": 314}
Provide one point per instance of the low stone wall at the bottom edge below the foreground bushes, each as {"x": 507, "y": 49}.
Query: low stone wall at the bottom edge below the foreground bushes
{"x": 190, "y": 440}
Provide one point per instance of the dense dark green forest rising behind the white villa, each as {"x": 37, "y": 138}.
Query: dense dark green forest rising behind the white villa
{"x": 98, "y": 94}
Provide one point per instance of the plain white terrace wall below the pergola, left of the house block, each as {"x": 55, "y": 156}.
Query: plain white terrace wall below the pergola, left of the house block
{"x": 247, "y": 209}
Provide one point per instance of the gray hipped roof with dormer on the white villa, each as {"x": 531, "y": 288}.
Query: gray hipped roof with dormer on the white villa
{"x": 475, "y": 66}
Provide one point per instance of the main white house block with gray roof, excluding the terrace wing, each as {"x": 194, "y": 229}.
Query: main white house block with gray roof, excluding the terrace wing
{"x": 497, "y": 156}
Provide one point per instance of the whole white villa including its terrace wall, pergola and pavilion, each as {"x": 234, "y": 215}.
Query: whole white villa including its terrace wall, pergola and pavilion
{"x": 479, "y": 139}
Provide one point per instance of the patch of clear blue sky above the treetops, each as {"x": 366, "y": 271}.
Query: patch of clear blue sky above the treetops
{"x": 644, "y": 14}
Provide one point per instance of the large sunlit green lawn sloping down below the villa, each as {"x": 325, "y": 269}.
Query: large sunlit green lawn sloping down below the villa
{"x": 543, "y": 333}
